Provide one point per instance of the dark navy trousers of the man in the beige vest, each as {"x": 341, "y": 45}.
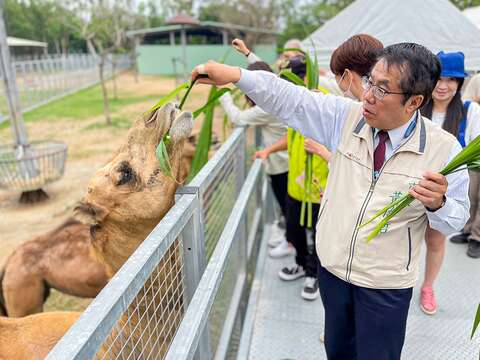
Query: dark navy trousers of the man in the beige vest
{"x": 362, "y": 323}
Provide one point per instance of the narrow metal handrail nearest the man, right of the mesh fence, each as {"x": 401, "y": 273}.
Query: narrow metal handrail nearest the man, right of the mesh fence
{"x": 194, "y": 322}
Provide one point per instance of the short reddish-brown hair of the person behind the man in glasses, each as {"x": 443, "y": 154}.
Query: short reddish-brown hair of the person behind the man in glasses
{"x": 358, "y": 53}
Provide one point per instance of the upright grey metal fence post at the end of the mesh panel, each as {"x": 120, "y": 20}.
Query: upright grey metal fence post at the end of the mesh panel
{"x": 193, "y": 238}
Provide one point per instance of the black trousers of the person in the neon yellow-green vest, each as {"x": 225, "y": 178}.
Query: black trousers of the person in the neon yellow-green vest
{"x": 297, "y": 235}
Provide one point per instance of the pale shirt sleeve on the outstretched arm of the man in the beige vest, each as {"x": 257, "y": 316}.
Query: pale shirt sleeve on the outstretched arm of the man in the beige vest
{"x": 314, "y": 115}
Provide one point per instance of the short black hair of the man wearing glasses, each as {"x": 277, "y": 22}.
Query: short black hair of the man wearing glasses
{"x": 420, "y": 68}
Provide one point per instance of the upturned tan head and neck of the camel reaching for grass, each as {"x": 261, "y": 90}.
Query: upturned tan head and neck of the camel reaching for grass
{"x": 128, "y": 196}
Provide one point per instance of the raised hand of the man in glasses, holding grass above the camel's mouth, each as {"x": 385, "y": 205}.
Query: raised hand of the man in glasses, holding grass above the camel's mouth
{"x": 218, "y": 74}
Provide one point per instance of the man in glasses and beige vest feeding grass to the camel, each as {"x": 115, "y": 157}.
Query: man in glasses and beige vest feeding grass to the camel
{"x": 382, "y": 149}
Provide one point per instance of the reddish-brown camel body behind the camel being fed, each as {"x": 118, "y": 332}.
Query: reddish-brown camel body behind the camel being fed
{"x": 60, "y": 259}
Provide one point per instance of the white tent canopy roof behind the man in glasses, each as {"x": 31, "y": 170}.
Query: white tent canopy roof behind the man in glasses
{"x": 436, "y": 24}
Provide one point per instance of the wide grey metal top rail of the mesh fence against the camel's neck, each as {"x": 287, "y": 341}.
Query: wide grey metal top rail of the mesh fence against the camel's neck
{"x": 86, "y": 336}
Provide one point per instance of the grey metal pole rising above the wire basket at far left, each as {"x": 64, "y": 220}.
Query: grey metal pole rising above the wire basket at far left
{"x": 10, "y": 81}
